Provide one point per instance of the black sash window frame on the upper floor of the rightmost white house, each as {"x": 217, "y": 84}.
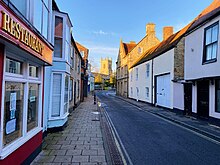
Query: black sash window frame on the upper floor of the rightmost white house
{"x": 204, "y": 61}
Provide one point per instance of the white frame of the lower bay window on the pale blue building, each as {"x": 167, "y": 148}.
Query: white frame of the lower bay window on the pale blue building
{"x": 62, "y": 114}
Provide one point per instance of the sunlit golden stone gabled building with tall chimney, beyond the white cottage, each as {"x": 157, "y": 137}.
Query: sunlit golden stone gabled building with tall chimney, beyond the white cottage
{"x": 128, "y": 54}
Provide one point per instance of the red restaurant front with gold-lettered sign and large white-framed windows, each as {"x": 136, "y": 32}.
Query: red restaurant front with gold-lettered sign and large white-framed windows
{"x": 25, "y": 50}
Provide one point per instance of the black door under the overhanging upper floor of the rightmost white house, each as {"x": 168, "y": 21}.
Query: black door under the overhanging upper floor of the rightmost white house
{"x": 203, "y": 98}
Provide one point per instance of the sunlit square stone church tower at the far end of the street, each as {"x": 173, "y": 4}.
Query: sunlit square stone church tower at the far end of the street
{"x": 106, "y": 66}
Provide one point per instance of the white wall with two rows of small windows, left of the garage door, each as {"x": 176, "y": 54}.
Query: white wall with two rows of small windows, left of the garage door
{"x": 142, "y": 82}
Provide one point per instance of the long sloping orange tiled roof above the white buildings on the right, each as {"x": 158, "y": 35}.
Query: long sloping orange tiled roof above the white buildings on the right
{"x": 170, "y": 42}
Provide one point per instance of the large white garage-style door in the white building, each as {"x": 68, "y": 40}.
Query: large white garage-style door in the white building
{"x": 163, "y": 91}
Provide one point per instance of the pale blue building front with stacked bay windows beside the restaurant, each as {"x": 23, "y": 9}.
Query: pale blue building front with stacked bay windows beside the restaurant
{"x": 57, "y": 77}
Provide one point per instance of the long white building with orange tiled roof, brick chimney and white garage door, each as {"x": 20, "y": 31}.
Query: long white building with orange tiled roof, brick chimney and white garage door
{"x": 157, "y": 76}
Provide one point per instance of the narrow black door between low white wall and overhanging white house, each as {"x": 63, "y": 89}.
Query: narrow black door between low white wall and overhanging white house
{"x": 188, "y": 99}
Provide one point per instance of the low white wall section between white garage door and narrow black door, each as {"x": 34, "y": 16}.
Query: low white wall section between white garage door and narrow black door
{"x": 178, "y": 96}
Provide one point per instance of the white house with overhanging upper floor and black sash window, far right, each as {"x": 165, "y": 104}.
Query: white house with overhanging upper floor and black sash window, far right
{"x": 202, "y": 63}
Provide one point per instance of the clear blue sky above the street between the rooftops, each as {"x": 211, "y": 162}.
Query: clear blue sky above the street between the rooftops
{"x": 100, "y": 24}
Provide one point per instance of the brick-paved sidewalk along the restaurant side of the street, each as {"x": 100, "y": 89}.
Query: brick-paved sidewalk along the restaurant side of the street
{"x": 81, "y": 142}
